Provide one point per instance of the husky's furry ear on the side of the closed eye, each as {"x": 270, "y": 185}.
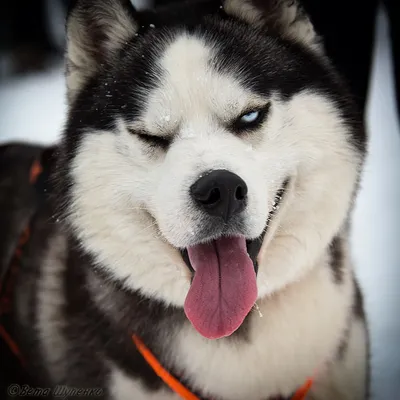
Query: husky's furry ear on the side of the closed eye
{"x": 96, "y": 30}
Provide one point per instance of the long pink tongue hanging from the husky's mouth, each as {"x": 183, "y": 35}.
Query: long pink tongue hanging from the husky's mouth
{"x": 224, "y": 287}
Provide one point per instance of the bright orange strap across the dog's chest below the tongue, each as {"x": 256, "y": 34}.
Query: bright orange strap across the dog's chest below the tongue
{"x": 180, "y": 389}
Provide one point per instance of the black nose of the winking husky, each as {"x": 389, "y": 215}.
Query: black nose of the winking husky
{"x": 220, "y": 193}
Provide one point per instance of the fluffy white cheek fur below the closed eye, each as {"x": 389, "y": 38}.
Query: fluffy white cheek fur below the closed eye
{"x": 108, "y": 215}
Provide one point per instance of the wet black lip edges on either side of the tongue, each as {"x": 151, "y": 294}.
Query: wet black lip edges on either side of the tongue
{"x": 254, "y": 245}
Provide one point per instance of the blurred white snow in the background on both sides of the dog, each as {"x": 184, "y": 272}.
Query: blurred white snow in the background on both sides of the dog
{"x": 32, "y": 109}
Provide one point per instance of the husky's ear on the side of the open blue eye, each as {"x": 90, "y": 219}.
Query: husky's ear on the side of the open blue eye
{"x": 286, "y": 17}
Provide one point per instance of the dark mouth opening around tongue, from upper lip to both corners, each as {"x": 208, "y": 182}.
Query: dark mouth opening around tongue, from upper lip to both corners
{"x": 253, "y": 246}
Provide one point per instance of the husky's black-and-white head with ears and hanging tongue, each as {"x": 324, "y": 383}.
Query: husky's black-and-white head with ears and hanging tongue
{"x": 224, "y": 140}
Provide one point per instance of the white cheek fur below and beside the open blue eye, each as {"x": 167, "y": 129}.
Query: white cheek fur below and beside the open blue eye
{"x": 324, "y": 160}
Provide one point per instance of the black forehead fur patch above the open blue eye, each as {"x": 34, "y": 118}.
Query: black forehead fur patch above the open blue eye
{"x": 267, "y": 64}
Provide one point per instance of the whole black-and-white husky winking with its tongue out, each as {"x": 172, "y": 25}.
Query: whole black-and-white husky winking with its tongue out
{"x": 200, "y": 200}
